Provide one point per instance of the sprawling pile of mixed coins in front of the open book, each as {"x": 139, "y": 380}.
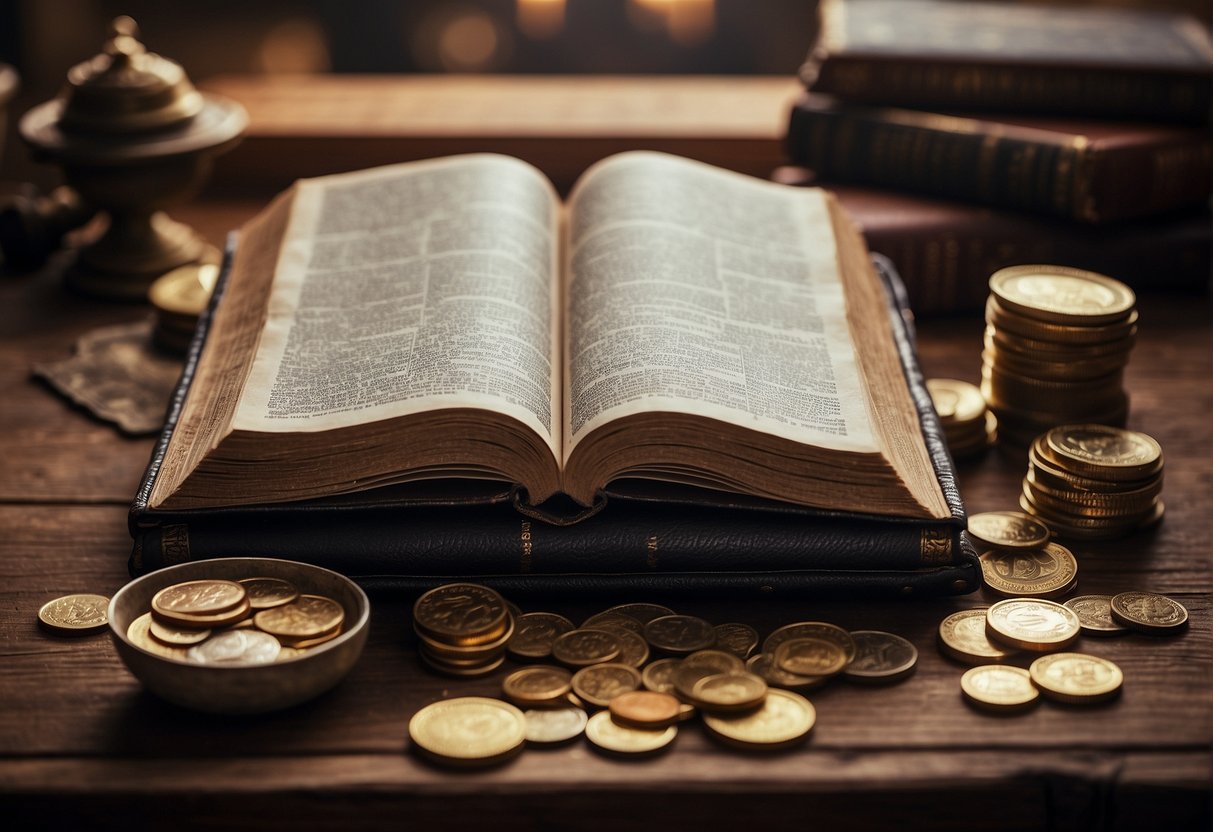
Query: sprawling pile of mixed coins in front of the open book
{"x": 631, "y": 675}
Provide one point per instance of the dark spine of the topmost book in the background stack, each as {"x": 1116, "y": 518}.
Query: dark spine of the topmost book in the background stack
{"x": 1102, "y": 93}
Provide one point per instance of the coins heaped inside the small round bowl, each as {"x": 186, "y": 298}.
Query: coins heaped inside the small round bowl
{"x": 252, "y": 622}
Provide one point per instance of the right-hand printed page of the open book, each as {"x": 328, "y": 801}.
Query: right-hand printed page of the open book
{"x": 702, "y": 292}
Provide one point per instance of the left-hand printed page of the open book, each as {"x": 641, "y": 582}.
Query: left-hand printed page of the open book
{"x": 413, "y": 288}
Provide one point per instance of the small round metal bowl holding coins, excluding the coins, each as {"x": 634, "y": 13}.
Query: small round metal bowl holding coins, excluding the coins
{"x": 243, "y": 689}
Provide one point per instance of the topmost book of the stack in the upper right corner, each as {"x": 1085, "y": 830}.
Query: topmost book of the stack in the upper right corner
{"x": 1015, "y": 59}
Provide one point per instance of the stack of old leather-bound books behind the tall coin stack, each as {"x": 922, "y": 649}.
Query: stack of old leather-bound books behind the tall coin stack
{"x": 971, "y": 136}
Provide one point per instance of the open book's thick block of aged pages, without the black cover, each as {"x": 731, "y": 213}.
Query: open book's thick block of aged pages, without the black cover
{"x": 453, "y": 320}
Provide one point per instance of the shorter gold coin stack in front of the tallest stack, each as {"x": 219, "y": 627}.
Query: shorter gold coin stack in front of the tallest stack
{"x": 1094, "y": 482}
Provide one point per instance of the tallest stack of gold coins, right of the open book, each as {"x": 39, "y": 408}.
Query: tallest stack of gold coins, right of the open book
{"x": 1057, "y": 341}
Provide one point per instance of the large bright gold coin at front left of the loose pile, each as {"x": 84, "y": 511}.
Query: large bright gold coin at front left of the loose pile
{"x": 469, "y": 731}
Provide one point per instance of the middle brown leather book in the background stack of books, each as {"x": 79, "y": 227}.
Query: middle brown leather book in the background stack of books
{"x": 1092, "y": 172}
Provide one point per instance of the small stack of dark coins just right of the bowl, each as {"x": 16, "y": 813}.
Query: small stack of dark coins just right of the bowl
{"x": 463, "y": 629}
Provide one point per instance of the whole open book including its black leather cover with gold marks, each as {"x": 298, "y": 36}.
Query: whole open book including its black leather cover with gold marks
{"x": 682, "y": 378}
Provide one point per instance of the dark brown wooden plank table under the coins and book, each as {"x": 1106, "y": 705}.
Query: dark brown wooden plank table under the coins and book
{"x": 82, "y": 744}
